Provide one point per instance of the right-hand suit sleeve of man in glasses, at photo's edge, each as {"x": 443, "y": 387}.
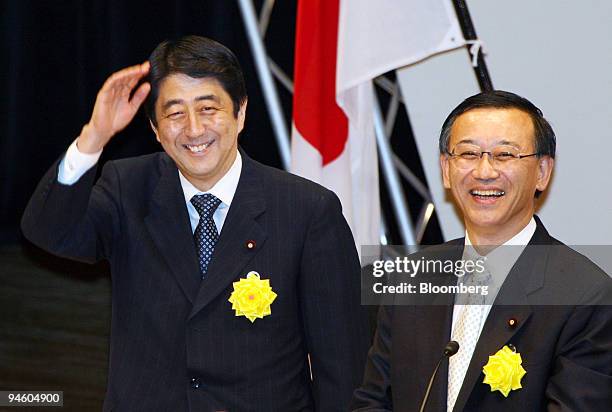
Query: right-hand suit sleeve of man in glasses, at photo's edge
{"x": 581, "y": 379}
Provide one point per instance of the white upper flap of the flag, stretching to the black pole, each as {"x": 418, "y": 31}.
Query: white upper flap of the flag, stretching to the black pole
{"x": 375, "y": 37}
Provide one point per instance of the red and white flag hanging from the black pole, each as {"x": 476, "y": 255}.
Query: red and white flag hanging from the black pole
{"x": 341, "y": 45}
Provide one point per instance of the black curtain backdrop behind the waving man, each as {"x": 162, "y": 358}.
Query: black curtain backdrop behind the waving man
{"x": 57, "y": 55}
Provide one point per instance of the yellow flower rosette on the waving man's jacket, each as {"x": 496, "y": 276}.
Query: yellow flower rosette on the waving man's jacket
{"x": 252, "y": 297}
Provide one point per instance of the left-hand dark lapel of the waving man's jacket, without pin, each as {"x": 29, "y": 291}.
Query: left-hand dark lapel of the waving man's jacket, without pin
{"x": 169, "y": 227}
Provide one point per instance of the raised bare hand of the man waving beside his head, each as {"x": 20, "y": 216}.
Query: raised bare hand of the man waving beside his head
{"x": 114, "y": 109}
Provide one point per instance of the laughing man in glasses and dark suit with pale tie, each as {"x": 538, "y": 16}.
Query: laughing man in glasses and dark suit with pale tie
{"x": 551, "y": 304}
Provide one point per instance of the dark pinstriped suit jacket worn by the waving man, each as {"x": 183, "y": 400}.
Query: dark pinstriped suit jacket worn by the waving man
{"x": 176, "y": 343}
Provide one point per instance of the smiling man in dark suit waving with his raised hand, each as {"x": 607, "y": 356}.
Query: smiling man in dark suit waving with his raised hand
{"x": 234, "y": 285}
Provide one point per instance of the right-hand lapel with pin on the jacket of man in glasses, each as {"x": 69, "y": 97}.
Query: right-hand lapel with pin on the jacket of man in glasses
{"x": 525, "y": 277}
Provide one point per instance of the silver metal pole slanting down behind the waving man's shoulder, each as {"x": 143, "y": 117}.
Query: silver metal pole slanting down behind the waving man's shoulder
{"x": 267, "y": 82}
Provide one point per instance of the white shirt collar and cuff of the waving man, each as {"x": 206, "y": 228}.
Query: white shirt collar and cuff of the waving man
{"x": 76, "y": 163}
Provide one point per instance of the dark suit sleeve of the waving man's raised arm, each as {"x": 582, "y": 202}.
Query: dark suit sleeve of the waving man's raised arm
{"x": 78, "y": 221}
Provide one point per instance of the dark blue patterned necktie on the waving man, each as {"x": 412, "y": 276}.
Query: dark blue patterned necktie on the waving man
{"x": 205, "y": 235}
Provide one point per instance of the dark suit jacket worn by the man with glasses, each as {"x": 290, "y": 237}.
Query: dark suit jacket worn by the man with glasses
{"x": 566, "y": 349}
